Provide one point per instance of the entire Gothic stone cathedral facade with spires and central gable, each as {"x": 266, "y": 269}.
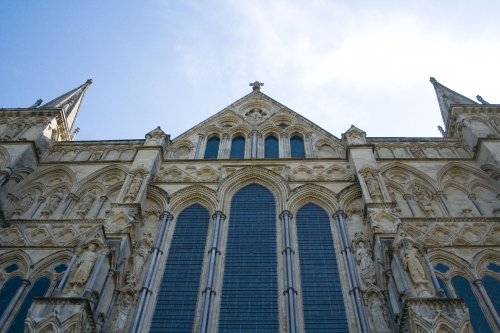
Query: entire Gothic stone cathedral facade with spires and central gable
{"x": 255, "y": 220}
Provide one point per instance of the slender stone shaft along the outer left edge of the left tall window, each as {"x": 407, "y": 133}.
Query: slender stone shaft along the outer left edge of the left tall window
{"x": 146, "y": 290}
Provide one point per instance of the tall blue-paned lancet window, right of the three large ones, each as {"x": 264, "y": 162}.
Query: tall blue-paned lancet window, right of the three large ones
{"x": 321, "y": 288}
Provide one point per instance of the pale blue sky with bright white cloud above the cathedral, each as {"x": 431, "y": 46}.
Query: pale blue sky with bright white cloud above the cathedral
{"x": 175, "y": 63}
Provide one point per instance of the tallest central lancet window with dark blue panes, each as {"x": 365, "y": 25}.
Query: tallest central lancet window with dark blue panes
{"x": 249, "y": 299}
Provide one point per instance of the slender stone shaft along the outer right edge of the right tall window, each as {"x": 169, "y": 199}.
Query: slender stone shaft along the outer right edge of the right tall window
{"x": 351, "y": 272}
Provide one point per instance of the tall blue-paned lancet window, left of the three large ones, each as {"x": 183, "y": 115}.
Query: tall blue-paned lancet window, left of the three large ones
{"x": 176, "y": 302}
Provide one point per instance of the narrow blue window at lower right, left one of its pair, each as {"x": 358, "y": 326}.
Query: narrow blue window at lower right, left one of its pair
{"x": 463, "y": 290}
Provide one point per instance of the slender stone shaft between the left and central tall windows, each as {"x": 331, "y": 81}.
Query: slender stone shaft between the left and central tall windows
{"x": 208, "y": 291}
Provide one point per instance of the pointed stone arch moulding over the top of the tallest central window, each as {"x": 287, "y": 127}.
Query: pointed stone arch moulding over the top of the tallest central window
{"x": 248, "y": 175}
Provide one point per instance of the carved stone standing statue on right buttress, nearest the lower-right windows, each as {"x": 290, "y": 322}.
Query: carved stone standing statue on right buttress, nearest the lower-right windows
{"x": 411, "y": 263}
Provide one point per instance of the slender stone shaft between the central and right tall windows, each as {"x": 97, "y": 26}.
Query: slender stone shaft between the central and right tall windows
{"x": 290, "y": 291}
